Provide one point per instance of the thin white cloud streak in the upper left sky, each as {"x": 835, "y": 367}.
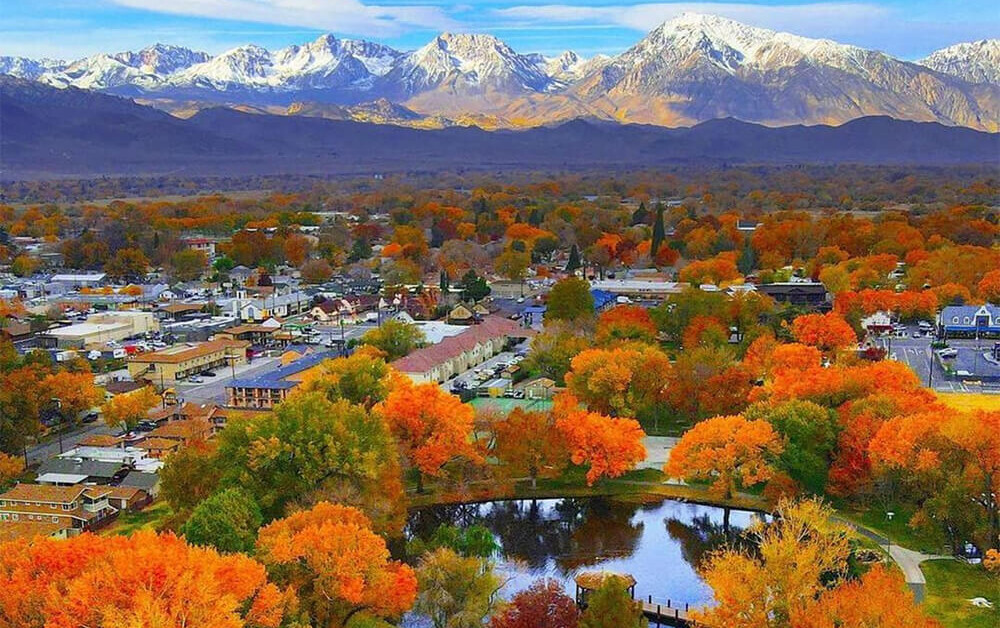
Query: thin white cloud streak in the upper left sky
{"x": 342, "y": 16}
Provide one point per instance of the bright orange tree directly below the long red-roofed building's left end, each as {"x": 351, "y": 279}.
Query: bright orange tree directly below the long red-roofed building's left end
{"x": 432, "y": 427}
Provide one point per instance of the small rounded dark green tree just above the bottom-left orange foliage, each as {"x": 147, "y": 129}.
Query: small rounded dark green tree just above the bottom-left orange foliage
{"x": 227, "y": 521}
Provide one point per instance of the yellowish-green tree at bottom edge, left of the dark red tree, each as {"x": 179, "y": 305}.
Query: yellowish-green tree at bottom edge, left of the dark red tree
{"x": 455, "y": 591}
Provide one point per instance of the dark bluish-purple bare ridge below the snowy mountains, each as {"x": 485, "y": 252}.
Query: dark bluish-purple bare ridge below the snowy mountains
{"x": 50, "y": 132}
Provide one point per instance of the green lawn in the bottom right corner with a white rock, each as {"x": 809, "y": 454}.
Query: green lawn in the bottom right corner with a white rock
{"x": 950, "y": 584}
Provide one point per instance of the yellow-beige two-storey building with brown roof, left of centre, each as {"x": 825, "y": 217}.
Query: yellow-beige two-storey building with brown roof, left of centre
{"x": 166, "y": 367}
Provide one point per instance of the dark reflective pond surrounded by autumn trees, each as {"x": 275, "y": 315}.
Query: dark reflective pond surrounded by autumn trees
{"x": 658, "y": 541}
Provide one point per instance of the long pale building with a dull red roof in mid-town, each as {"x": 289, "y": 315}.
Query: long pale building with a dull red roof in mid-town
{"x": 457, "y": 354}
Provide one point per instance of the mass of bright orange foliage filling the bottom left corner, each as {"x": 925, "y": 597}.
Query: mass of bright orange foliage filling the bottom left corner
{"x": 141, "y": 580}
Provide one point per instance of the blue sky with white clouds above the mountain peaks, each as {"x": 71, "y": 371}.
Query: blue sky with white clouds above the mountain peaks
{"x": 73, "y": 28}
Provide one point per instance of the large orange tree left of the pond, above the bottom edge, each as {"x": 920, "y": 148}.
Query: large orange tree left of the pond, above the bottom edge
{"x": 336, "y": 565}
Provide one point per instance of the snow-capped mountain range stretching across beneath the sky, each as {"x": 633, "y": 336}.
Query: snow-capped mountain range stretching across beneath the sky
{"x": 689, "y": 69}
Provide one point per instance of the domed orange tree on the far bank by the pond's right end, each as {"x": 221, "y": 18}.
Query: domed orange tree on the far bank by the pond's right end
{"x": 729, "y": 451}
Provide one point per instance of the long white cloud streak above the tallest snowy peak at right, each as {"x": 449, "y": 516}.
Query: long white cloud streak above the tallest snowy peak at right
{"x": 799, "y": 18}
